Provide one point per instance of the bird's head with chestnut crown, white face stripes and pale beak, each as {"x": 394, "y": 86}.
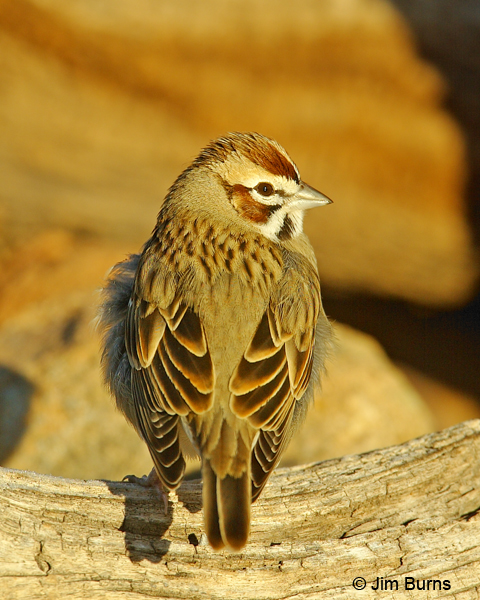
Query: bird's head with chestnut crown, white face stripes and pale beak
{"x": 261, "y": 184}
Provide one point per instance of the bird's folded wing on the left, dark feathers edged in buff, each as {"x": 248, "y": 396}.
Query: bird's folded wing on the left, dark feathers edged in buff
{"x": 172, "y": 377}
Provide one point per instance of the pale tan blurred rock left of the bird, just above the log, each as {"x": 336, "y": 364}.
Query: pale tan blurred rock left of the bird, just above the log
{"x": 73, "y": 428}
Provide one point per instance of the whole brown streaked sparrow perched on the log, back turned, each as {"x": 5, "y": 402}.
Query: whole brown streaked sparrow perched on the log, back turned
{"x": 217, "y": 327}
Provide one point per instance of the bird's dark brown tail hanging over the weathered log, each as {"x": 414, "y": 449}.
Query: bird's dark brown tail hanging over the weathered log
{"x": 226, "y": 507}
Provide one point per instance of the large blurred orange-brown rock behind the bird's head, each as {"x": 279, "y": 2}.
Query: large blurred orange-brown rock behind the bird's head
{"x": 102, "y": 106}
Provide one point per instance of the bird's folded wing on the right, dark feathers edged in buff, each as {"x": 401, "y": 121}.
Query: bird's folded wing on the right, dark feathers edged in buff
{"x": 273, "y": 376}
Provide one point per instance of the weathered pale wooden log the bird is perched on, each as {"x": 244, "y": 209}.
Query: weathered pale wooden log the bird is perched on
{"x": 411, "y": 510}
